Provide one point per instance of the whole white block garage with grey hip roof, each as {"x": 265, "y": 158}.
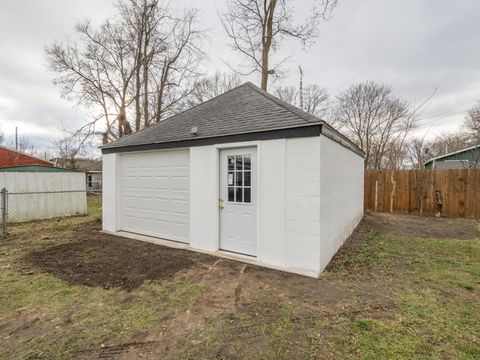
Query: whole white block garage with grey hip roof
{"x": 244, "y": 176}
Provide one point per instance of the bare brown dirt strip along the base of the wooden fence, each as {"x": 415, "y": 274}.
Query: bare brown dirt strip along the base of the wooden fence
{"x": 421, "y": 226}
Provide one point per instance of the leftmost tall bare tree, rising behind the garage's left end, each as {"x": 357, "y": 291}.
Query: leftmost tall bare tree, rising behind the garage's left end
{"x": 98, "y": 75}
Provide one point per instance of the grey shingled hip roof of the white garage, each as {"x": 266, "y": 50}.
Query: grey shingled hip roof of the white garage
{"x": 245, "y": 109}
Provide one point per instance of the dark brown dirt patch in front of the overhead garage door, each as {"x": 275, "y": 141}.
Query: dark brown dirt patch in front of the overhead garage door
{"x": 98, "y": 259}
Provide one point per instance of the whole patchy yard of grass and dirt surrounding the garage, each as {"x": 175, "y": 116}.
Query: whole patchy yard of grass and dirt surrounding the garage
{"x": 401, "y": 287}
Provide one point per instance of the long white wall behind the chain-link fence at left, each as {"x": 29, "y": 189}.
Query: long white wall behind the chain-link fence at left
{"x": 42, "y": 195}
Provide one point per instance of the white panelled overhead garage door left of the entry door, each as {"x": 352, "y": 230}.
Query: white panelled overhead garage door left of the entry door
{"x": 154, "y": 194}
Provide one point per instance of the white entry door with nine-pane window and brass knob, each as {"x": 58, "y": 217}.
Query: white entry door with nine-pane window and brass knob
{"x": 238, "y": 217}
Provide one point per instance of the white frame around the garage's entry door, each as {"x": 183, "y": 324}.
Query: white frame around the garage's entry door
{"x": 218, "y": 148}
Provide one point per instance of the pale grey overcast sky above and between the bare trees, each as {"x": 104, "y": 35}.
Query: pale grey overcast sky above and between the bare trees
{"x": 412, "y": 45}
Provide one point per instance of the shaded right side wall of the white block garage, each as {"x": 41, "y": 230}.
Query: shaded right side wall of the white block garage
{"x": 341, "y": 194}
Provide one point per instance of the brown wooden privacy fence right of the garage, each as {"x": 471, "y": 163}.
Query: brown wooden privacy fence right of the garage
{"x": 452, "y": 192}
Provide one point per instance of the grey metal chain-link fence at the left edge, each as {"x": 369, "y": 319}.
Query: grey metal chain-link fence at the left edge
{"x": 27, "y": 206}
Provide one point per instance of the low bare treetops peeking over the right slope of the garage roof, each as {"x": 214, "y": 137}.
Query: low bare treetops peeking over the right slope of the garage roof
{"x": 315, "y": 98}
